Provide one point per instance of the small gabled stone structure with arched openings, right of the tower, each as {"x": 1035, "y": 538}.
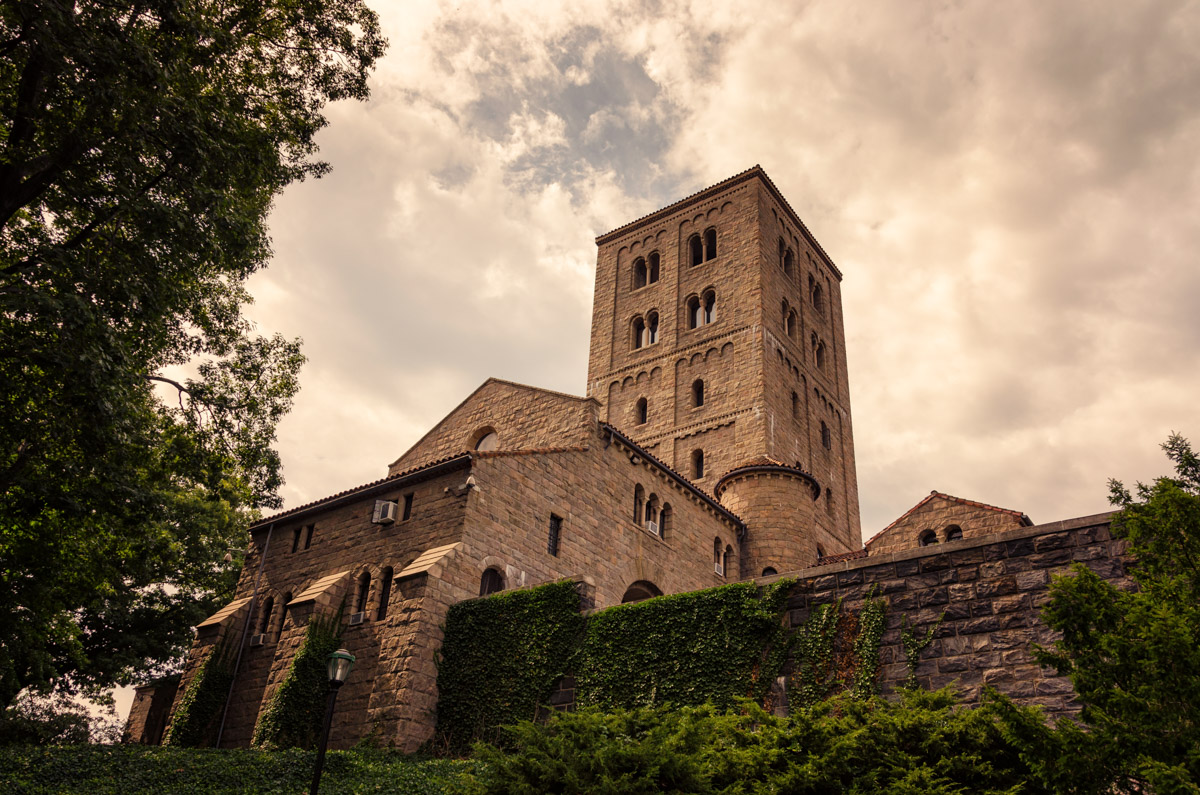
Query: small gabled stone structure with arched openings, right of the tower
{"x": 938, "y": 513}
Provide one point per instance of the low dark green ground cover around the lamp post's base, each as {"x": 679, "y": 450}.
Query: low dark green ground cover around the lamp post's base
{"x": 122, "y": 770}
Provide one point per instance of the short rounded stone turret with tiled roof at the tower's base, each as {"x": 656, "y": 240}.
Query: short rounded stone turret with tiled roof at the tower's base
{"x": 778, "y": 505}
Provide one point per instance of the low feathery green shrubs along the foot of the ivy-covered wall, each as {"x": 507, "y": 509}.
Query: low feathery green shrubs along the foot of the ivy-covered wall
{"x": 921, "y": 744}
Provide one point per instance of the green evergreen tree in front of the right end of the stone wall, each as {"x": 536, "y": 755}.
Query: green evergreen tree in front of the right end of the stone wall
{"x": 1135, "y": 655}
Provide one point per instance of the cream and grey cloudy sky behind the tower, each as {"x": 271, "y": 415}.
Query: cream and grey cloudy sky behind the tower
{"x": 1011, "y": 189}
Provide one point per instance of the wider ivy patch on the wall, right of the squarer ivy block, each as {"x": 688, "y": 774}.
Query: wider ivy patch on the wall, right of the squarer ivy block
{"x": 716, "y": 645}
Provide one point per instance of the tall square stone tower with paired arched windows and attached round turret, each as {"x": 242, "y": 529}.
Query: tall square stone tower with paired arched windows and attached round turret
{"x": 718, "y": 345}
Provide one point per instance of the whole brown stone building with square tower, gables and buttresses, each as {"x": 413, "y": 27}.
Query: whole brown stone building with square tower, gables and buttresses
{"x": 715, "y": 445}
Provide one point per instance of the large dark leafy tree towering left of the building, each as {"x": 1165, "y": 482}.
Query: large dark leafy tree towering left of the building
{"x": 141, "y": 148}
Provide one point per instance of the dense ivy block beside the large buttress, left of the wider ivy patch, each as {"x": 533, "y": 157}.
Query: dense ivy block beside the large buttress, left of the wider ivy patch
{"x": 501, "y": 659}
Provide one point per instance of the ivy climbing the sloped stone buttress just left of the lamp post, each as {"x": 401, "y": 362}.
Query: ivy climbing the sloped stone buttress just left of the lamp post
{"x": 295, "y": 715}
